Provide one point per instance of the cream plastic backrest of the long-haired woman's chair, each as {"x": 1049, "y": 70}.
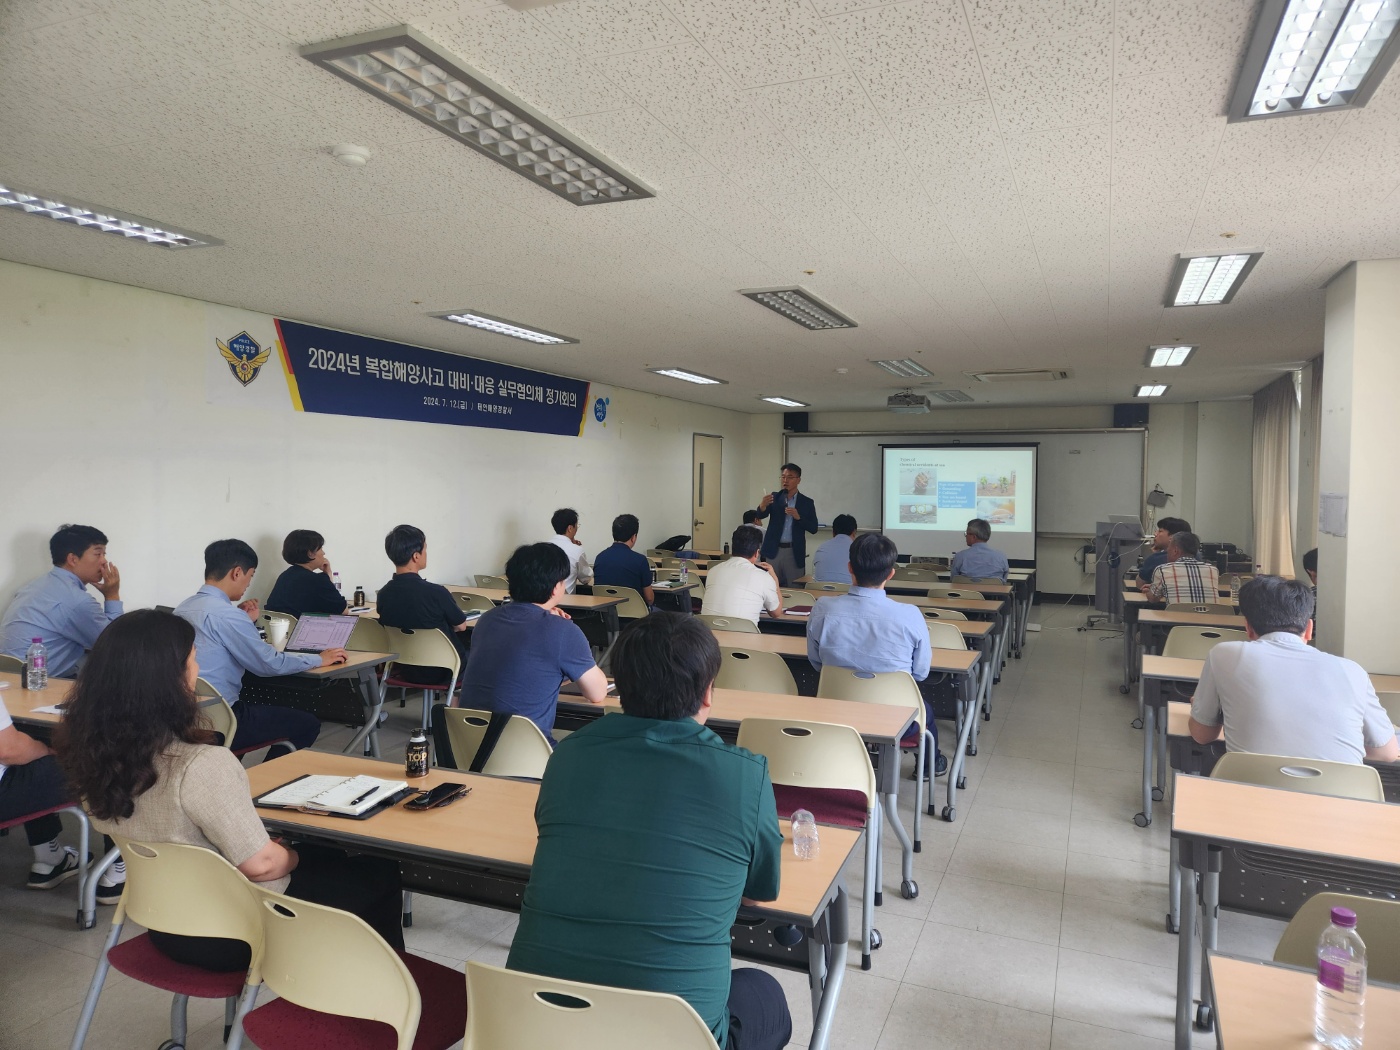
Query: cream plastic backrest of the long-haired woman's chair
{"x": 190, "y": 891}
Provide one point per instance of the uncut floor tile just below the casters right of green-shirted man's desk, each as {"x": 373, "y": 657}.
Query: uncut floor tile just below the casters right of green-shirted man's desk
{"x": 985, "y": 967}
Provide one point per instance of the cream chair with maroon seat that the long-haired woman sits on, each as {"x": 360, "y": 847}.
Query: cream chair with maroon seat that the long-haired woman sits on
{"x": 191, "y": 891}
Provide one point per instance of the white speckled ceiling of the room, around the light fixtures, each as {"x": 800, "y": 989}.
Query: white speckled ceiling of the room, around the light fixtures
{"x": 978, "y": 184}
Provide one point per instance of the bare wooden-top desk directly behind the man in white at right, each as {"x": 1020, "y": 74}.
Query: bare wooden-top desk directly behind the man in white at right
{"x": 1209, "y": 815}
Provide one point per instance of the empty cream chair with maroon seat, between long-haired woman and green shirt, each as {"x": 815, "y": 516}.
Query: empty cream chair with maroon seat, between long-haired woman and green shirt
{"x": 339, "y": 986}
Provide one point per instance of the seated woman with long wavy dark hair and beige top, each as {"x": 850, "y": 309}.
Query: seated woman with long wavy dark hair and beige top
{"x": 145, "y": 762}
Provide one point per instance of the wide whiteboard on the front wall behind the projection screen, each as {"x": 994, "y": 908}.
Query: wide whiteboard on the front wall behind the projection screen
{"x": 1081, "y": 477}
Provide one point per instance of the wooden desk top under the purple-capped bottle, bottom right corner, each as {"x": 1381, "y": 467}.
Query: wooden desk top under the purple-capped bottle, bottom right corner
{"x": 1262, "y": 1006}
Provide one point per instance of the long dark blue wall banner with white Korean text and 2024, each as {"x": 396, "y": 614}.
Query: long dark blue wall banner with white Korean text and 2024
{"x": 345, "y": 374}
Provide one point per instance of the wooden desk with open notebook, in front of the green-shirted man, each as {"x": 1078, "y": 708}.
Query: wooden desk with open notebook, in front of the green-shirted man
{"x": 481, "y": 849}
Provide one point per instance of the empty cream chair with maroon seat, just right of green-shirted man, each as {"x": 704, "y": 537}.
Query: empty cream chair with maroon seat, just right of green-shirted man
{"x": 827, "y": 771}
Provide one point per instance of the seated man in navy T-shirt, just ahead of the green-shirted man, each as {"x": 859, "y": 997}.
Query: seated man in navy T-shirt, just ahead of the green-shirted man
{"x": 523, "y": 652}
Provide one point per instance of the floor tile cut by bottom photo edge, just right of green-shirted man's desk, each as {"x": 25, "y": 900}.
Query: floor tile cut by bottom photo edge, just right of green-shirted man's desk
{"x": 922, "y": 1018}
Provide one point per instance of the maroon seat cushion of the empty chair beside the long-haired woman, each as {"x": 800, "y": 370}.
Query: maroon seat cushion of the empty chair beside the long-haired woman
{"x": 282, "y": 1024}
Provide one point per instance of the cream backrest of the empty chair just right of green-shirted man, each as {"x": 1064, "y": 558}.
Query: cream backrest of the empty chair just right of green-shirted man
{"x": 811, "y": 755}
